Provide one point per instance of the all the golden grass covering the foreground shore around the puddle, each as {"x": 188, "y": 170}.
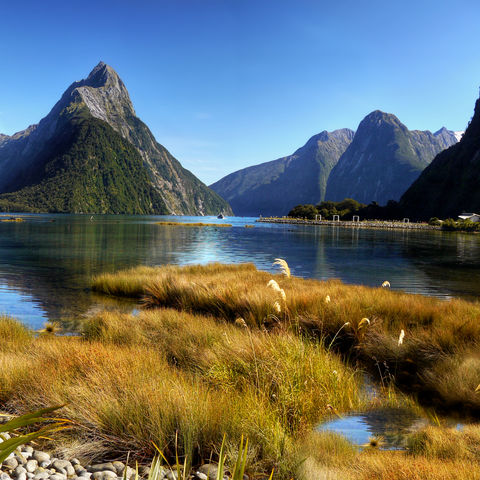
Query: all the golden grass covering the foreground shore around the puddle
{"x": 230, "y": 350}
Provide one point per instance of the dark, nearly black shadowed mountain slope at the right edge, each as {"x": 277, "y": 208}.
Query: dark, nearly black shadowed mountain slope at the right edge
{"x": 450, "y": 184}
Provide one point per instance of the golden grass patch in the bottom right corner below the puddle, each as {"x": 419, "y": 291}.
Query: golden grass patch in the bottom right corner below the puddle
{"x": 436, "y": 453}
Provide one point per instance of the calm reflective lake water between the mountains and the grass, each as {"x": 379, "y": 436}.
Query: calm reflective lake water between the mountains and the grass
{"x": 46, "y": 261}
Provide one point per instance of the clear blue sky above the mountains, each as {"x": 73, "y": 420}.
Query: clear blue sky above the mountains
{"x": 225, "y": 84}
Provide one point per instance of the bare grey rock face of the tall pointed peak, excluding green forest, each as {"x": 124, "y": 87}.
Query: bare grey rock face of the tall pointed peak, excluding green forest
{"x": 103, "y": 96}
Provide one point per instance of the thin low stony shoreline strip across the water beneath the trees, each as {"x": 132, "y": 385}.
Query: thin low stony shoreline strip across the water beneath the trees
{"x": 386, "y": 225}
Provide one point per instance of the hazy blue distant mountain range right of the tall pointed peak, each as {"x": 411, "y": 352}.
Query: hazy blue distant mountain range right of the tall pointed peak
{"x": 376, "y": 163}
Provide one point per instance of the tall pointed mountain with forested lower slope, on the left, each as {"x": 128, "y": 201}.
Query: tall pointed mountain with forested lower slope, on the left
{"x": 92, "y": 154}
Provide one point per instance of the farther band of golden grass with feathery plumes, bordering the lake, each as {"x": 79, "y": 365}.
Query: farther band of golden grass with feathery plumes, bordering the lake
{"x": 435, "y": 331}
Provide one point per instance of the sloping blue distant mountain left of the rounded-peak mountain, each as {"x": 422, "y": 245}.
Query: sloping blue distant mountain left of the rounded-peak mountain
{"x": 273, "y": 188}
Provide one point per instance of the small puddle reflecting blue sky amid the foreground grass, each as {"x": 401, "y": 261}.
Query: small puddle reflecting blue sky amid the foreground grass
{"x": 393, "y": 425}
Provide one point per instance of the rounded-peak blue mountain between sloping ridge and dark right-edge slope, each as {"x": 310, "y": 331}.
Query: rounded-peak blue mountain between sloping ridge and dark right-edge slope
{"x": 383, "y": 159}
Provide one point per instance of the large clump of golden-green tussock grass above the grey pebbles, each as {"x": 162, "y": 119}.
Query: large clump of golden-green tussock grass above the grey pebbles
{"x": 130, "y": 380}
